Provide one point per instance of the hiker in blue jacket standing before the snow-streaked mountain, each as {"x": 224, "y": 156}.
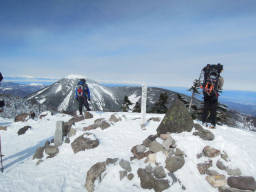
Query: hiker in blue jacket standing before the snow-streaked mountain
{"x": 82, "y": 95}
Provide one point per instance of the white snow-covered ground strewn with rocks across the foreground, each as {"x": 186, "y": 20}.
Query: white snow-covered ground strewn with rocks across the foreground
{"x": 67, "y": 171}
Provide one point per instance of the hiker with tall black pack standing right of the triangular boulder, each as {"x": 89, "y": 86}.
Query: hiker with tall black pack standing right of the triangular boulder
{"x": 212, "y": 84}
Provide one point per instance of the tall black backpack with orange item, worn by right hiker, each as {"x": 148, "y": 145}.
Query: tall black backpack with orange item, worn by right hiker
{"x": 211, "y": 79}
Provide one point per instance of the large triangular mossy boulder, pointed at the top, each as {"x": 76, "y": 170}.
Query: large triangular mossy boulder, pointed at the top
{"x": 176, "y": 120}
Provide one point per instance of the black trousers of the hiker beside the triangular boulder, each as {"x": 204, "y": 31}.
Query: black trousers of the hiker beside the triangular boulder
{"x": 210, "y": 107}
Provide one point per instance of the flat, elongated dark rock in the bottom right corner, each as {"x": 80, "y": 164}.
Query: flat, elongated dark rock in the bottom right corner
{"x": 243, "y": 183}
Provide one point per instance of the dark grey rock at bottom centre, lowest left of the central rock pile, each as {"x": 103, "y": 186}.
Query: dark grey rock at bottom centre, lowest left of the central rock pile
{"x": 146, "y": 179}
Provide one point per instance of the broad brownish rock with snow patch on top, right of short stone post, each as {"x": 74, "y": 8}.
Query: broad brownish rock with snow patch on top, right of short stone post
{"x": 85, "y": 141}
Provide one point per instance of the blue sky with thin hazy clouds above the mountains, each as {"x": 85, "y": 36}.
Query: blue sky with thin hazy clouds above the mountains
{"x": 161, "y": 43}
